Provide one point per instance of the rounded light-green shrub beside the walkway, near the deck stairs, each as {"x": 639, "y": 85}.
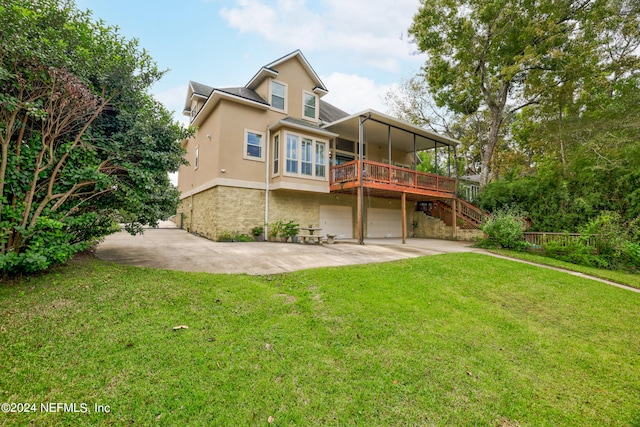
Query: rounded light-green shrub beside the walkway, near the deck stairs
{"x": 505, "y": 227}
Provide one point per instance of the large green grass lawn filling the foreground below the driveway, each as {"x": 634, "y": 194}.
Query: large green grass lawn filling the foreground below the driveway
{"x": 448, "y": 340}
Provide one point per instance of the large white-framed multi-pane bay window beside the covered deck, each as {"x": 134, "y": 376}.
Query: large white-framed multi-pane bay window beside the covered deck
{"x": 305, "y": 157}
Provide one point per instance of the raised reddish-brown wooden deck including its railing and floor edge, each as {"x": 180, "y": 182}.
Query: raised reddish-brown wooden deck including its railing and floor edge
{"x": 390, "y": 180}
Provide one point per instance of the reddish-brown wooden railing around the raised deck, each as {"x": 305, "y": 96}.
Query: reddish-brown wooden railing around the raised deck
{"x": 392, "y": 176}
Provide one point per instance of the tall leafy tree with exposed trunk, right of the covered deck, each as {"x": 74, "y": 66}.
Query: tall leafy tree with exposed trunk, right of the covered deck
{"x": 501, "y": 56}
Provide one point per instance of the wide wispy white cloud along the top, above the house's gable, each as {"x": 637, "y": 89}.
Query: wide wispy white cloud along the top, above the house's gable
{"x": 370, "y": 32}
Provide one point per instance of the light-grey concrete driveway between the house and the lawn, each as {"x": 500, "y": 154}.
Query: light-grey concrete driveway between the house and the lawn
{"x": 174, "y": 249}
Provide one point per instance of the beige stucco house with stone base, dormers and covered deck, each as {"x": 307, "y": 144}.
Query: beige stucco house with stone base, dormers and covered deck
{"x": 274, "y": 150}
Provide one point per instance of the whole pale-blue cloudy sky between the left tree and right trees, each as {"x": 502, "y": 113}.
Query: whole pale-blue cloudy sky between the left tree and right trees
{"x": 359, "y": 48}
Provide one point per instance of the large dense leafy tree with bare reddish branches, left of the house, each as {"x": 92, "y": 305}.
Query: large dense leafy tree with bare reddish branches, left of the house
{"x": 83, "y": 143}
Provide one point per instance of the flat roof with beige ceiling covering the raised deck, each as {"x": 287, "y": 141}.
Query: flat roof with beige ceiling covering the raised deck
{"x": 379, "y": 128}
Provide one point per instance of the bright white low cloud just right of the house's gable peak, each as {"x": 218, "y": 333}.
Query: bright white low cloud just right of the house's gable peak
{"x": 353, "y": 93}
